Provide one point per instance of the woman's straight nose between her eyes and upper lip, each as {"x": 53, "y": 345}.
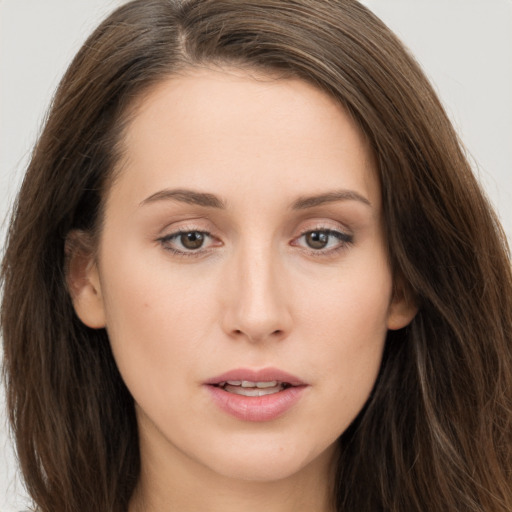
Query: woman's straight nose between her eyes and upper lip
{"x": 256, "y": 298}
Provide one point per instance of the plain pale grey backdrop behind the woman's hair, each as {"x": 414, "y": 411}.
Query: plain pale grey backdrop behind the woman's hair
{"x": 465, "y": 47}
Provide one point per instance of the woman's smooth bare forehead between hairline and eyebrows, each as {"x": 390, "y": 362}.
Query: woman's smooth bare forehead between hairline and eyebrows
{"x": 225, "y": 130}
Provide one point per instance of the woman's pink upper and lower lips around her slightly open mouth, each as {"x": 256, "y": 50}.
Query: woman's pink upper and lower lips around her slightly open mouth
{"x": 261, "y": 408}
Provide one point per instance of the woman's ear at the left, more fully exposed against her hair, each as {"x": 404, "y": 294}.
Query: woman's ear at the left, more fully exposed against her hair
{"x": 83, "y": 280}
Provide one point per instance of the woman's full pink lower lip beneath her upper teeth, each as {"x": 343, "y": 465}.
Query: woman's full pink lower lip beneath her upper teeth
{"x": 256, "y": 408}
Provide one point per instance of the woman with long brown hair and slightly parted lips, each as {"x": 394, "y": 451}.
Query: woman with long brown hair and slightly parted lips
{"x": 250, "y": 267}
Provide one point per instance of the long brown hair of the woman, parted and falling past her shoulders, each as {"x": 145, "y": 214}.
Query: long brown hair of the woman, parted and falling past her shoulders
{"x": 436, "y": 434}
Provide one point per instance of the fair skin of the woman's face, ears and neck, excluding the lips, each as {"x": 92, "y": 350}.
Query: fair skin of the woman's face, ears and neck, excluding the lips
{"x": 256, "y": 294}
